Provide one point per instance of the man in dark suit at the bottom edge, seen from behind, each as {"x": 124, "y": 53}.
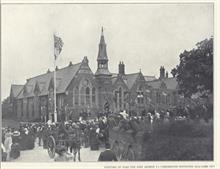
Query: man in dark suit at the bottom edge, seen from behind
{"x": 108, "y": 154}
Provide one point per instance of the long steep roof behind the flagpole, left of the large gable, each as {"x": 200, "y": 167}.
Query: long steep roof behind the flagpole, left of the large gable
{"x": 63, "y": 76}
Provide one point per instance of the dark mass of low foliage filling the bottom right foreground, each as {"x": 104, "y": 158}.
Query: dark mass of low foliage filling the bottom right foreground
{"x": 180, "y": 140}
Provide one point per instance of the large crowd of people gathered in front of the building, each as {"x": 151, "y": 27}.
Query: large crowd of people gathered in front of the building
{"x": 91, "y": 133}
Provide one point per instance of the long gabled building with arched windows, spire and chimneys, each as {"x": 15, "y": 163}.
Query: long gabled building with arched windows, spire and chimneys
{"x": 80, "y": 90}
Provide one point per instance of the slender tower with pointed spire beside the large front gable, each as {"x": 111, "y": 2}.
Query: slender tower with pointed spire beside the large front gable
{"x": 103, "y": 76}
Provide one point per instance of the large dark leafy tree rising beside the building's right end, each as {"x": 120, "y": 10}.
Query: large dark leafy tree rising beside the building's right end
{"x": 195, "y": 71}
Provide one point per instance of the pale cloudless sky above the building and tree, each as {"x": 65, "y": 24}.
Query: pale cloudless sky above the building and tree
{"x": 143, "y": 36}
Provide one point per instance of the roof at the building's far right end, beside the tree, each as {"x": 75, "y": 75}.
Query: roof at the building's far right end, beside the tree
{"x": 171, "y": 83}
